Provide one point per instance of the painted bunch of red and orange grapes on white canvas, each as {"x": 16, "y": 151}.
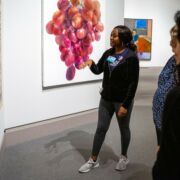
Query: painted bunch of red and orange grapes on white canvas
{"x": 76, "y": 24}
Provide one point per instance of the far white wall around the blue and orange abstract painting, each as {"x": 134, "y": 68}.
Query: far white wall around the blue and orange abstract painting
{"x": 162, "y": 14}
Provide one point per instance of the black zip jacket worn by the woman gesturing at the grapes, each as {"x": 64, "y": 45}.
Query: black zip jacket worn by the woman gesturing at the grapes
{"x": 120, "y": 84}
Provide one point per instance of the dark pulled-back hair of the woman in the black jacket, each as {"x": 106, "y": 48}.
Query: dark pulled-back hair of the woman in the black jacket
{"x": 125, "y": 35}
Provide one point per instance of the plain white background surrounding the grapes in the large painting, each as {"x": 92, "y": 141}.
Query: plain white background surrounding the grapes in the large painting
{"x": 53, "y": 68}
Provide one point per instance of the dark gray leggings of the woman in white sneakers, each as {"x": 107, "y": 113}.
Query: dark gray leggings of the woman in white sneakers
{"x": 106, "y": 111}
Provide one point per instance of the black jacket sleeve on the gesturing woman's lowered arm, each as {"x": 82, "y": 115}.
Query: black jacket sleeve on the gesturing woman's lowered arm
{"x": 133, "y": 77}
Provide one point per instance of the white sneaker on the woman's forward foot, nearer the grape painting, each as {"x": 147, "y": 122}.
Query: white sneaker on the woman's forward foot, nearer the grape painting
{"x": 88, "y": 166}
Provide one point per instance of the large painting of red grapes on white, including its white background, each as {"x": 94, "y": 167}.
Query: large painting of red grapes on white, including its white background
{"x": 72, "y": 29}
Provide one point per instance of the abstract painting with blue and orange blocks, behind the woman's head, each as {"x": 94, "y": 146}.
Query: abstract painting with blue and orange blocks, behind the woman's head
{"x": 142, "y": 36}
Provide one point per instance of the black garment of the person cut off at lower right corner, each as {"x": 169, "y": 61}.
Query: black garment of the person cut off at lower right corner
{"x": 167, "y": 165}
